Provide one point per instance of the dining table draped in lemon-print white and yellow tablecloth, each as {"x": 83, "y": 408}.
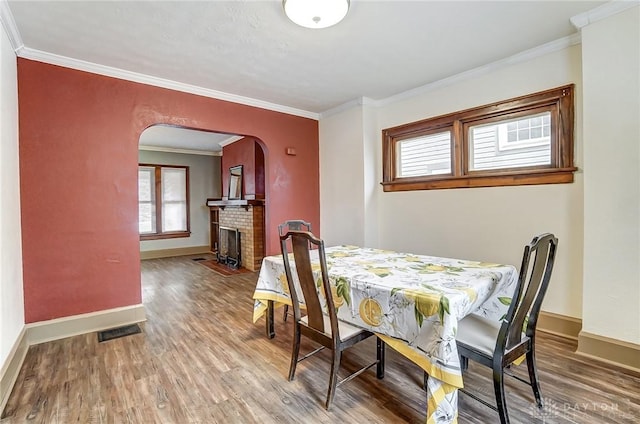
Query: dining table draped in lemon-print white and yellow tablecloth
{"x": 412, "y": 302}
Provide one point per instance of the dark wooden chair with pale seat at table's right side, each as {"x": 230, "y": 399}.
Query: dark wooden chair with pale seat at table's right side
{"x": 498, "y": 344}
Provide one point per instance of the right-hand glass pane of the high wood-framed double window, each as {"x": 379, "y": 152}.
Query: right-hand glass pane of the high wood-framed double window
{"x": 499, "y": 146}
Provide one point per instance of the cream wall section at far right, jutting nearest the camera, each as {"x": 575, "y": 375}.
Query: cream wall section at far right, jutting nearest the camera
{"x": 611, "y": 68}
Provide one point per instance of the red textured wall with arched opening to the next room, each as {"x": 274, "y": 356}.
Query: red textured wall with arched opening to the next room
{"x": 79, "y": 137}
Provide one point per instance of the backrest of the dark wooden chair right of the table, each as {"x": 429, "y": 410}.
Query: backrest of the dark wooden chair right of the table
{"x": 535, "y": 273}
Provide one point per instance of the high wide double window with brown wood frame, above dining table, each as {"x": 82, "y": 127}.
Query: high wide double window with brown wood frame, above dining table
{"x": 527, "y": 140}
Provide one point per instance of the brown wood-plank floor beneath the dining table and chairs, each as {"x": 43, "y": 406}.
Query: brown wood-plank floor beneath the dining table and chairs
{"x": 200, "y": 359}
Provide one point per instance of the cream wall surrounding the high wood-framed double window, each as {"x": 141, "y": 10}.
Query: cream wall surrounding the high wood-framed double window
{"x": 491, "y": 224}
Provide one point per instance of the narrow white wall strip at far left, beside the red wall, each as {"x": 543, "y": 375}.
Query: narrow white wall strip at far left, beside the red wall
{"x": 11, "y": 292}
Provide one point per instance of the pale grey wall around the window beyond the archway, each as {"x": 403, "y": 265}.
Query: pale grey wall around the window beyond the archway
{"x": 204, "y": 182}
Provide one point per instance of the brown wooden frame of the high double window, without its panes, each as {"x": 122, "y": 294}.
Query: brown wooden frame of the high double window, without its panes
{"x": 559, "y": 101}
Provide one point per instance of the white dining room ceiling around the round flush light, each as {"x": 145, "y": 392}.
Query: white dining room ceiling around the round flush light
{"x": 248, "y": 51}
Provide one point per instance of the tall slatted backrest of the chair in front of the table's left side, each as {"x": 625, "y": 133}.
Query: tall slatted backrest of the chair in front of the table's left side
{"x": 300, "y": 245}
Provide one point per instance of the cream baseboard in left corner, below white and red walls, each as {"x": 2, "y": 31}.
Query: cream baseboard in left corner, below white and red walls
{"x": 60, "y": 328}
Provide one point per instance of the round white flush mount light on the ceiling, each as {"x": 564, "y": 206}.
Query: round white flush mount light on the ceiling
{"x": 316, "y": 13}
